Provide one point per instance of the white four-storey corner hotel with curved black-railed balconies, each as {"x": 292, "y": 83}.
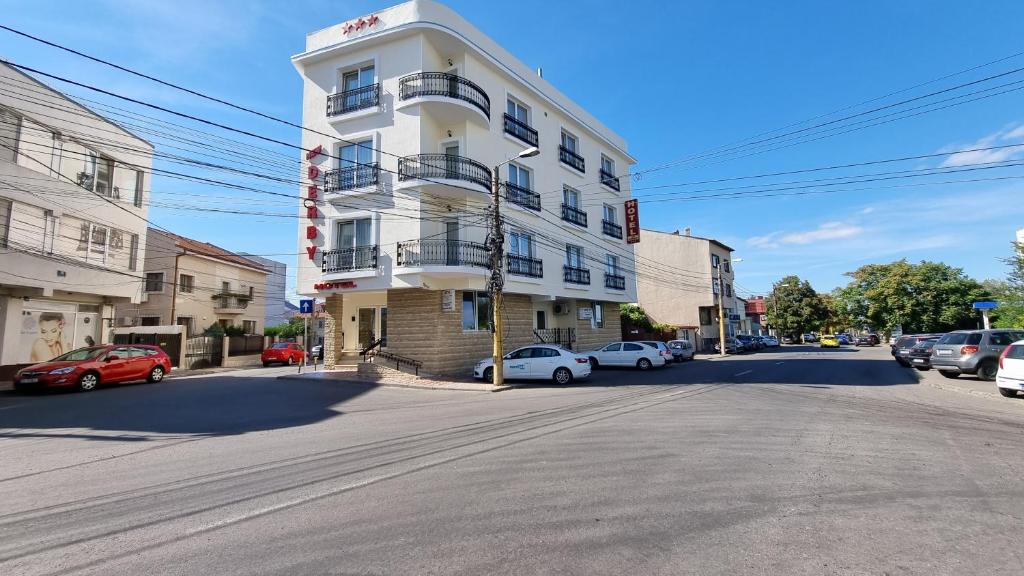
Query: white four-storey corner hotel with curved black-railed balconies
{"x": 421, "y": 107}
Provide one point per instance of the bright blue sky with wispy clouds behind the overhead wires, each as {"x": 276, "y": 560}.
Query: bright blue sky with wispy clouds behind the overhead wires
{"x": 675, "y": 79}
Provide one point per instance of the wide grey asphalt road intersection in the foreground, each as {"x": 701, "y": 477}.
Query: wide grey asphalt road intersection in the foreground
{"x": 792, "y": 462}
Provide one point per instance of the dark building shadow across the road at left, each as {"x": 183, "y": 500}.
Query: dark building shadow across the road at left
{"x": 205, "y": 407}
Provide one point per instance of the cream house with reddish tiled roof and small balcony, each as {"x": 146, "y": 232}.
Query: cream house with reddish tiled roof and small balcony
{"x": 196, "y": 284}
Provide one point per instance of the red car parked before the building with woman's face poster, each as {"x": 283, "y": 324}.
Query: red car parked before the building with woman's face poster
{"x": 90, "y": 367}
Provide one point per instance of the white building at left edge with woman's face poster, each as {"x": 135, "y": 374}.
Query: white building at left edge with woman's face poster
{"x": 73, "y": 208}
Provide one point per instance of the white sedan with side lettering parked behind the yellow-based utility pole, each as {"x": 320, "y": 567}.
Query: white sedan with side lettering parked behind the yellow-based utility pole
{"x": 538, "y": 362}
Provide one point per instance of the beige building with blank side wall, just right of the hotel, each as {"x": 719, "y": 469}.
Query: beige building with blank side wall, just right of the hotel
{"x": 691, "y": 302}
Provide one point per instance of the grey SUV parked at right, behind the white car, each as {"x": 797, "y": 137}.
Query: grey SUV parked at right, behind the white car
{"x": 972, "y": 352}
